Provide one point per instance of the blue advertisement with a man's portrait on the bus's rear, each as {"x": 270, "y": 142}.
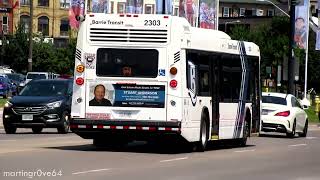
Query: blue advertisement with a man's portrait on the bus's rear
{"x": 127, "y": 95}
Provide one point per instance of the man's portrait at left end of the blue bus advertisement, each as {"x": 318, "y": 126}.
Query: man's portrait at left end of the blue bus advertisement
{"x": 101, "y": 96}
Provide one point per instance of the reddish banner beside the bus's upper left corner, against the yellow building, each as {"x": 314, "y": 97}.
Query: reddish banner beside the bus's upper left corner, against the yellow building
{"x": 76, "y": 9}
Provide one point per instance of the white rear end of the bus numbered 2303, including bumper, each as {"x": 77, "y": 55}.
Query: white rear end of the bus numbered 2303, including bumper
{"x": 123, "y": 85}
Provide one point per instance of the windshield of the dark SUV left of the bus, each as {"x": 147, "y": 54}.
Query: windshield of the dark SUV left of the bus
{"x": 45, "y": 88}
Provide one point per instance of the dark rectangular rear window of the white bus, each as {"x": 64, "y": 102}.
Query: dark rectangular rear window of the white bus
{"x": 127, "y": 63}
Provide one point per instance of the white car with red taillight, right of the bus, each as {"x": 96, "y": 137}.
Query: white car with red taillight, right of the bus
{"x": 283, "y": 113}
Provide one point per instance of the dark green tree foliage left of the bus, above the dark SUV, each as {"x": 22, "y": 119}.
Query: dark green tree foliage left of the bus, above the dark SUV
{"x": 46, "y": 57}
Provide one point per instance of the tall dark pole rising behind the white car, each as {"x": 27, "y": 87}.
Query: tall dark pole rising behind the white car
{"x": 291, "y": 61}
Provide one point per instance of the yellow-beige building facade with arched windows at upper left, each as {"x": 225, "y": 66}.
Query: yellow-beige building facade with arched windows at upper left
{"x": 50, "y": 18}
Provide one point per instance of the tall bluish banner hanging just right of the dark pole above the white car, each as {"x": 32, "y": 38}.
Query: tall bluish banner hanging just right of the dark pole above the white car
{"x": 301, "y": 24}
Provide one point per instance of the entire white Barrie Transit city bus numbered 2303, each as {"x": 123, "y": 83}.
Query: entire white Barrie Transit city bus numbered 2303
{"x": 160, "y": 76}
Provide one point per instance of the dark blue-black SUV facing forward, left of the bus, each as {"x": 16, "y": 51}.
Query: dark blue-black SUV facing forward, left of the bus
{"x": 41, "y": 104}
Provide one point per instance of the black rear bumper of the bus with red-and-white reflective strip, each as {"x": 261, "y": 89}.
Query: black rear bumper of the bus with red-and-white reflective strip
{"x": 139, "y": 130}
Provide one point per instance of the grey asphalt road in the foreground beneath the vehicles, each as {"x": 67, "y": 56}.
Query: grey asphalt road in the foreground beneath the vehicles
{"x": 69, "y": 157}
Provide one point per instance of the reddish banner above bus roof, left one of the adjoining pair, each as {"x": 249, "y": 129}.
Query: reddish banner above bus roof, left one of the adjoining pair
{"x": 189, "y": 10}
